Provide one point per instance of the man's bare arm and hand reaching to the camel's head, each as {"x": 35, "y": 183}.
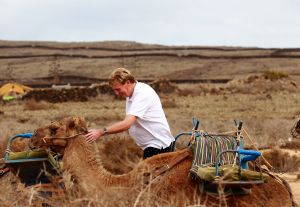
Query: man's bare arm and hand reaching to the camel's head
{"x": 120, "y": 126}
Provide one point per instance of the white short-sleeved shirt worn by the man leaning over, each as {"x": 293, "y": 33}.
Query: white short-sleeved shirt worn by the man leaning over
{"x": 151, "y": 128}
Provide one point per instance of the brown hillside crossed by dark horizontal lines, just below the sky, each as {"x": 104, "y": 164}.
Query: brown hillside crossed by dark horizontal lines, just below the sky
{"x": 40, "y": 62}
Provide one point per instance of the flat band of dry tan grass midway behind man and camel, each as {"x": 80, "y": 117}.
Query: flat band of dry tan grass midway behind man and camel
{"x": 262, "y": 114}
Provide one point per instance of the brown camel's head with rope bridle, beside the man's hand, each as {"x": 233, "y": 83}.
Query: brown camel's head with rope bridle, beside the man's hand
{"x": 56, "y": 135}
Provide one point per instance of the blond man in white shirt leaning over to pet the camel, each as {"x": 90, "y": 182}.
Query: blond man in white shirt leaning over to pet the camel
{"x": 145, "y": 119}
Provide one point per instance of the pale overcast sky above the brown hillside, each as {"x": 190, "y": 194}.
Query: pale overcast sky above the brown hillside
{"x": 258, "y": 23}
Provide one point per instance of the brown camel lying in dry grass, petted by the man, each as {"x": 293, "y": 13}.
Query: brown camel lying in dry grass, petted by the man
{"x": 140, "y": 187}
